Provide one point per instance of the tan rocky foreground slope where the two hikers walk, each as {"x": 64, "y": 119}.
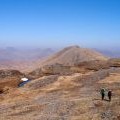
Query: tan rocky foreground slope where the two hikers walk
{"x": 64, "y": 97}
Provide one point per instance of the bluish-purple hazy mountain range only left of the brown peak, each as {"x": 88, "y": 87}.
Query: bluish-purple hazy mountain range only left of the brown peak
{"x": 13, "y": 54}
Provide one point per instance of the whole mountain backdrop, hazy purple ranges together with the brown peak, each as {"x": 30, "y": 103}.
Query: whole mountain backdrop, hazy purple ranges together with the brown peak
{"x": 29, "y": 59}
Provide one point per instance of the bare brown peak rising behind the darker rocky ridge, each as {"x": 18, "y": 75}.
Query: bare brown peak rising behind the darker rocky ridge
{"x": 73, "y": 55}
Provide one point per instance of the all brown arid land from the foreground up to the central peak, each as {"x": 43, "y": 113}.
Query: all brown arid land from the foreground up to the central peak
{"x": 63, "y": 91}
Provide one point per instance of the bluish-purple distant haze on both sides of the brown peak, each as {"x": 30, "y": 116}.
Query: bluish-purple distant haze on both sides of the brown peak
{"x": 34, "y": 53}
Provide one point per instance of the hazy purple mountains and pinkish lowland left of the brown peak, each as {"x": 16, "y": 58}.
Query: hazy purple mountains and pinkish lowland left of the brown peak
{"x": 22, "y": 59}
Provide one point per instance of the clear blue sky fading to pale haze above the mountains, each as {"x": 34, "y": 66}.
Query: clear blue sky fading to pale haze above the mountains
{"x": 56, "y": 23}
